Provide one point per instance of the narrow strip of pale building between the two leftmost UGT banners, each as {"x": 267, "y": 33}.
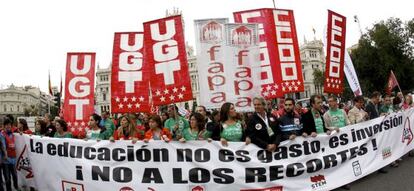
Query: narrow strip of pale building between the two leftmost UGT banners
{"x": 103, "y": 90}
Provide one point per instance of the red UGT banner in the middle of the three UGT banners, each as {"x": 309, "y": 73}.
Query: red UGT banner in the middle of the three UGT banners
{"x": 130, "y": 75}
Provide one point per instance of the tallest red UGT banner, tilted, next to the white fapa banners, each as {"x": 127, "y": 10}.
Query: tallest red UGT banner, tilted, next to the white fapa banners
{"x": 166, "y": 54}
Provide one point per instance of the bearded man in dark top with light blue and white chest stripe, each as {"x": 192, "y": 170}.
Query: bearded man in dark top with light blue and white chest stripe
{"x": 290, "y": 123}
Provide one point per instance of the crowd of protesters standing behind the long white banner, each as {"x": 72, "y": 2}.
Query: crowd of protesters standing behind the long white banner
{"x": 266, "y": 127}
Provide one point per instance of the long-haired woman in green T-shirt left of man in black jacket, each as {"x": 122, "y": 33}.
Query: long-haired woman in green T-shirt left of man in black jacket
{"x": 231, "y": 129}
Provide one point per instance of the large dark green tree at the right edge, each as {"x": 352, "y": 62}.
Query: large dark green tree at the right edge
{"x": 387, "y": 46}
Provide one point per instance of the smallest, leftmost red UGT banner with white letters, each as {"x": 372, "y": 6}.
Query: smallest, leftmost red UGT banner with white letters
{"x": 79, "y": 90}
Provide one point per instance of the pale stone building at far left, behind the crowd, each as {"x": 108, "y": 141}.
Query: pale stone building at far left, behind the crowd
{"x": 24, "y": 101}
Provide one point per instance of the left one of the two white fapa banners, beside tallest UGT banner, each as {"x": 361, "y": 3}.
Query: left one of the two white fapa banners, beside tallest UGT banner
{"x": 210, "y": 38}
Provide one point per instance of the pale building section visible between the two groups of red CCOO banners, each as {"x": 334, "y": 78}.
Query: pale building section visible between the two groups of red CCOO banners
{"x": 313, "y": 58}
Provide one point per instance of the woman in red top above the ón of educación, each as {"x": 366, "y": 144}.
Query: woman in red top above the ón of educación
{"x": 156, "y": 131}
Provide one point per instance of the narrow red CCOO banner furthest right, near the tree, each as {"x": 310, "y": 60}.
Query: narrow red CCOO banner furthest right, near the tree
{"x": 335, "y": 53}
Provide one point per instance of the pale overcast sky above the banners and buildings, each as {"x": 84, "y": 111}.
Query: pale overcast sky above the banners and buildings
{"x": 35, "y": 36}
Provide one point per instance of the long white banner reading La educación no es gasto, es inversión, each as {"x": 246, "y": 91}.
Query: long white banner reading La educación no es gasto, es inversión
{"x": 303, "y": 164}
